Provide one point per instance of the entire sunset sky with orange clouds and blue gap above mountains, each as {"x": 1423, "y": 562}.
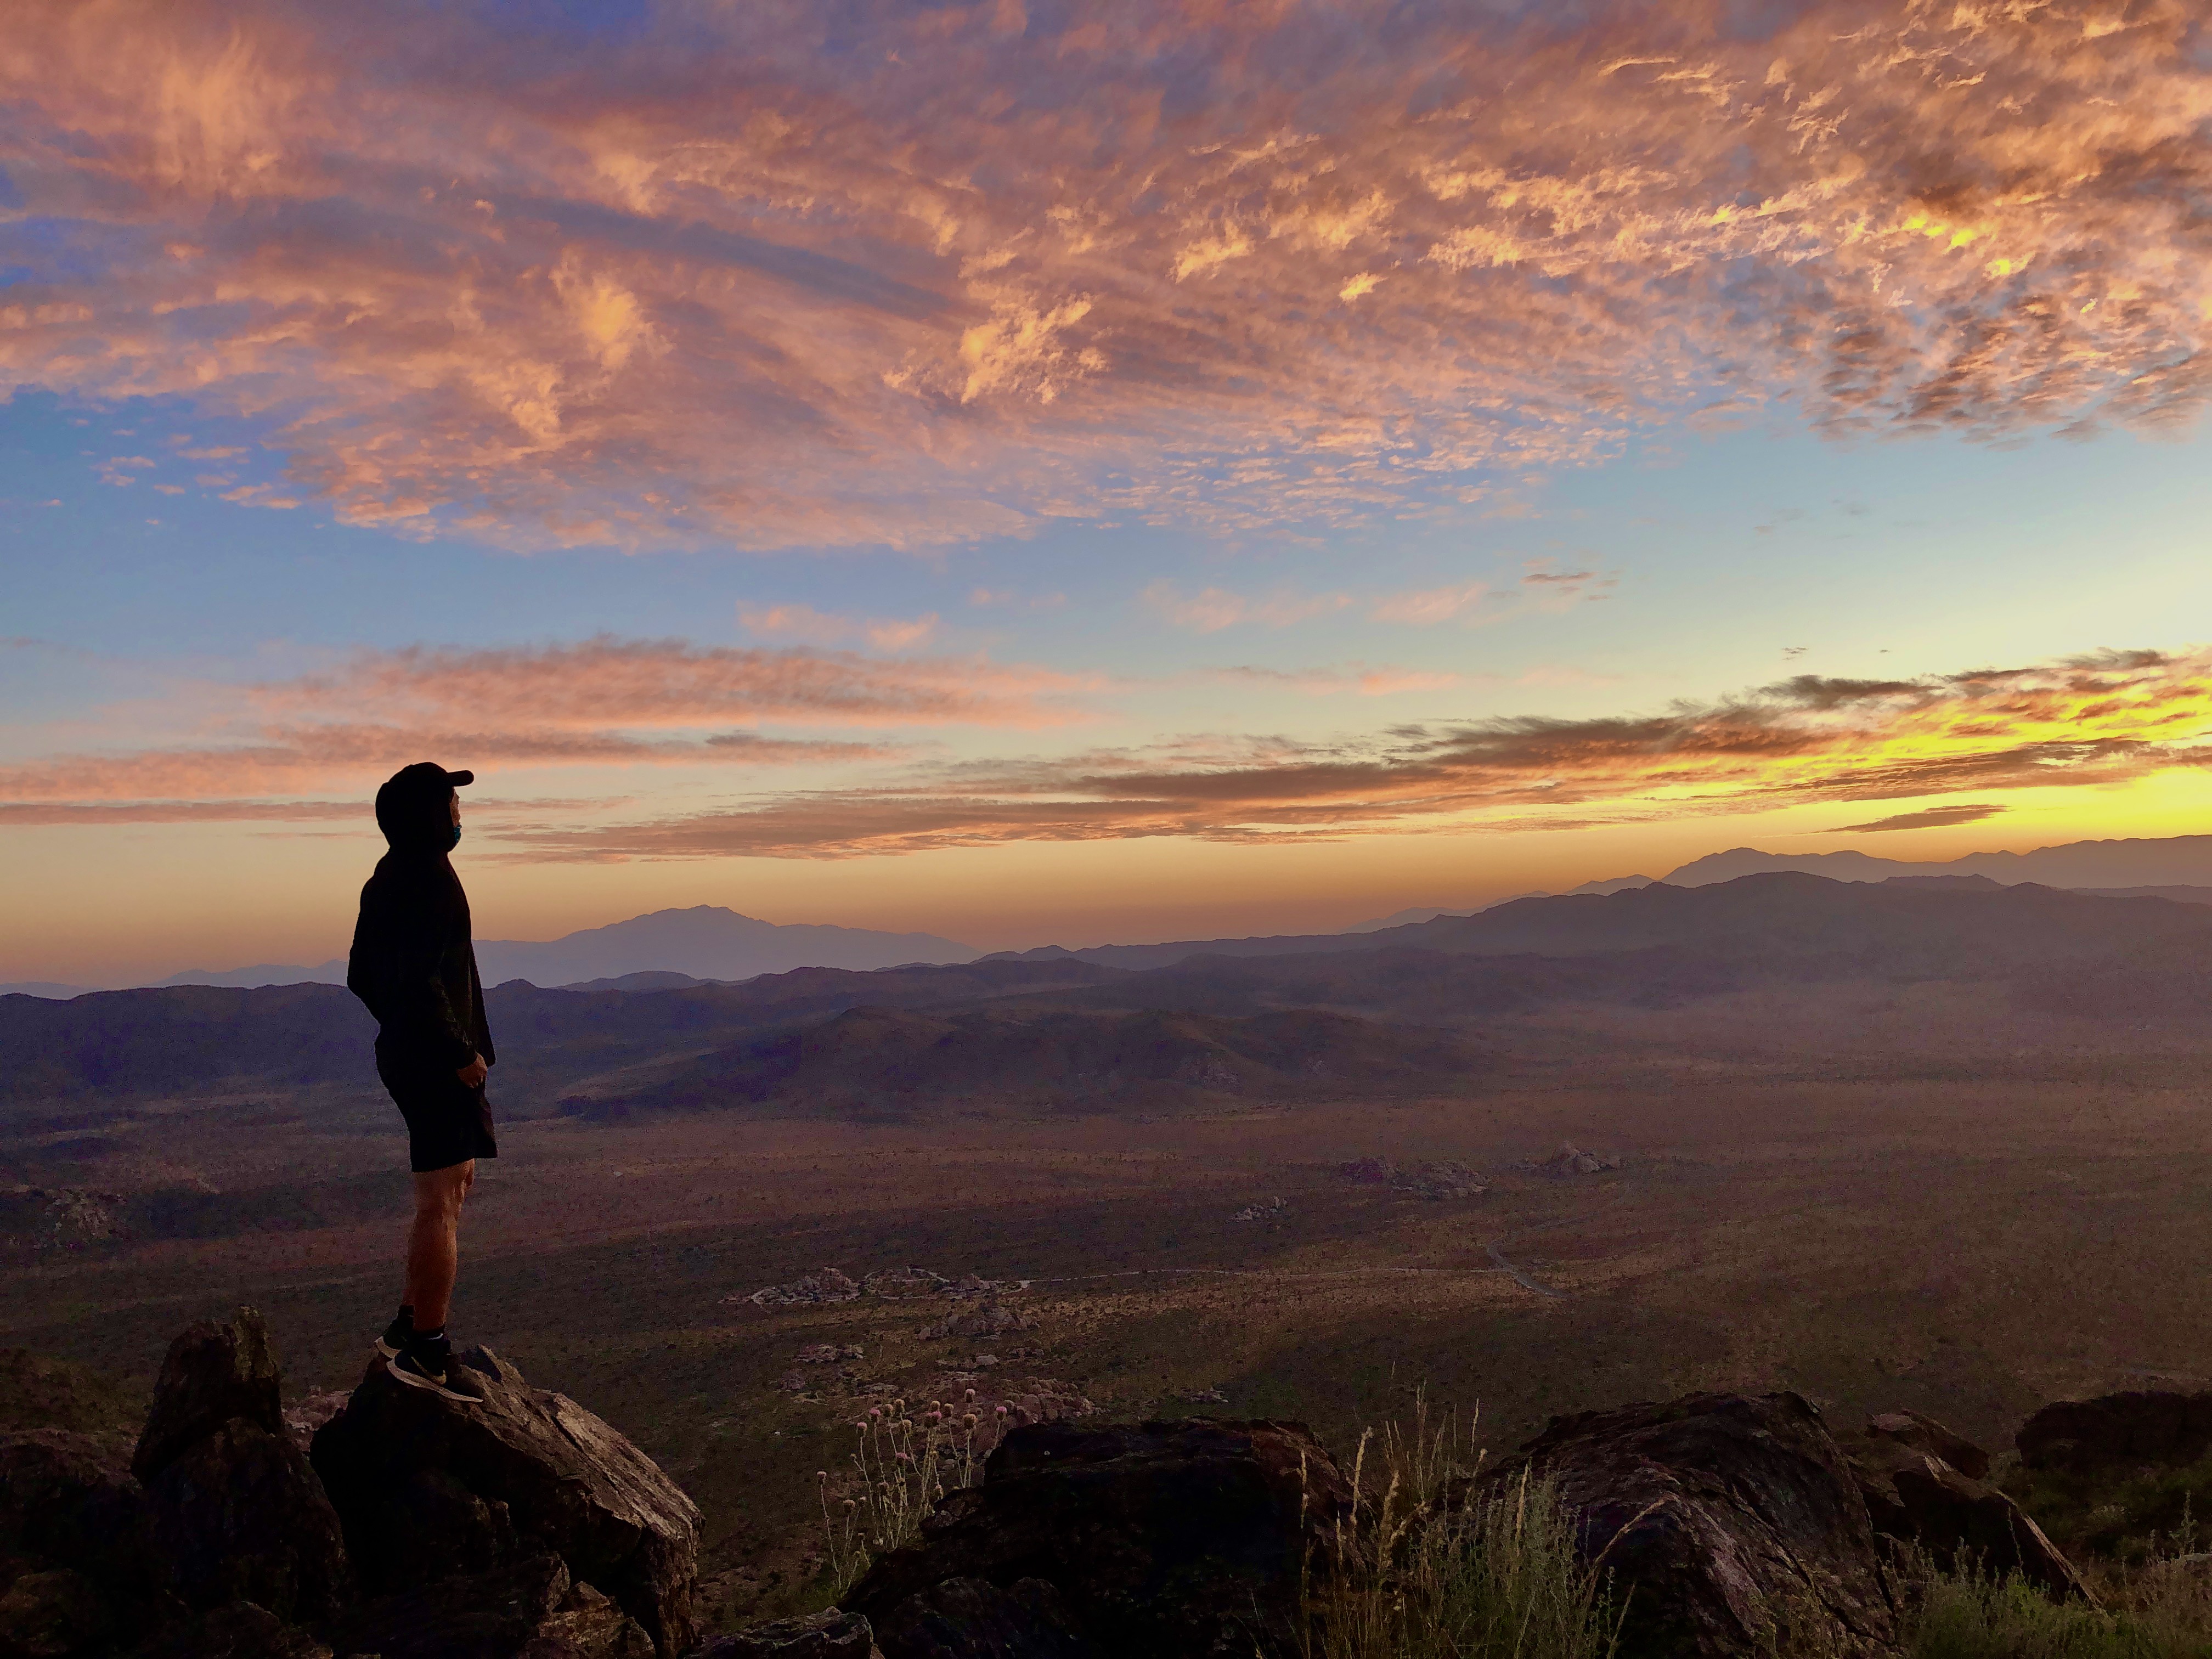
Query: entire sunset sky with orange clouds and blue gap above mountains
{"x": 1072, "y": 474}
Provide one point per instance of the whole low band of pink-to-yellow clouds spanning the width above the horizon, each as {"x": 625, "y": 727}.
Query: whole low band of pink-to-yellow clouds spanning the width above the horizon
{"x": 2085, "y": 722}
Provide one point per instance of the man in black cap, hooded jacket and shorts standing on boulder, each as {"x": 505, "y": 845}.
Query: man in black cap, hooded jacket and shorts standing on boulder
{"x": 415, "y": 966}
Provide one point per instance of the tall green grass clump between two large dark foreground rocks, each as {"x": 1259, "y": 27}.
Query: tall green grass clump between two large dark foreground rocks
{"x": 1437, "y": 1565}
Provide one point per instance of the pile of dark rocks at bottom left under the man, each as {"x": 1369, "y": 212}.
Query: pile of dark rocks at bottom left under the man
{"x": 413, "y": 1530}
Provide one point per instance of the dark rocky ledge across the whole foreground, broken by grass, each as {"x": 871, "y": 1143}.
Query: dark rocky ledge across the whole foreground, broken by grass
{"x": 390, "y": 1523}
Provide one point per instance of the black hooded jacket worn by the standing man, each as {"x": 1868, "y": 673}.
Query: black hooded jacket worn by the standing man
{"x": 413, "y": 959}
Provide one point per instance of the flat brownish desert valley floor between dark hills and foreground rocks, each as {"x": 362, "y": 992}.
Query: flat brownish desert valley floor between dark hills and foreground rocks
{"x": 1846, "y": 1202}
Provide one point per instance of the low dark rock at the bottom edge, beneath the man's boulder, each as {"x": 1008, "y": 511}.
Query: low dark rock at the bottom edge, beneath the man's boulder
{"x": 528, "y": 1609}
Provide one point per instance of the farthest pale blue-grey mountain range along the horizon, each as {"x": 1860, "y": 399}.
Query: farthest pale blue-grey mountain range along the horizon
{"x": 676, "y": 948}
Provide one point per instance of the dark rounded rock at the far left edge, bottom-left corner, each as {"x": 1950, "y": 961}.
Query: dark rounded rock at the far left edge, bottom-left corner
{"x": 65, "y": 1505}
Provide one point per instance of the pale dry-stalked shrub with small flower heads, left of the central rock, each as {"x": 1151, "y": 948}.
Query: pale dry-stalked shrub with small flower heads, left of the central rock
{"x": 901, "y": 1468}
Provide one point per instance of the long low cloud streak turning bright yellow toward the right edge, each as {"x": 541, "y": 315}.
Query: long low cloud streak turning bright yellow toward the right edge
{"x": 2074, "y": 724}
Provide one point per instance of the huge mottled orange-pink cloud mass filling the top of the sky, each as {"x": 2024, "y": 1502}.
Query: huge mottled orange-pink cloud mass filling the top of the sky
{"x": 1346, "y": 271}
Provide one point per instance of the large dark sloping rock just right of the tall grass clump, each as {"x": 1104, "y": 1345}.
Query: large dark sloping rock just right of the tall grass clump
{"x": 1731, "y": 1523}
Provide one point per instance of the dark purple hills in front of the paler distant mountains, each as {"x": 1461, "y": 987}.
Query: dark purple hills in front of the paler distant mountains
{"x": 1399, "y": 1014}
